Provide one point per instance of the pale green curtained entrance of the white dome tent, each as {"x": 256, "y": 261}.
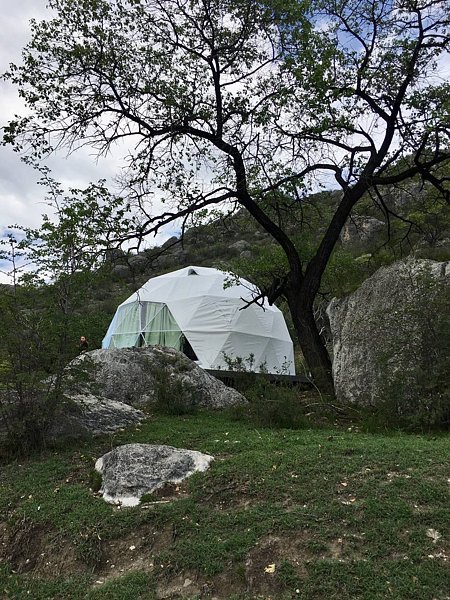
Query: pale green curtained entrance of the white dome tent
{"x": 148, "y": 324}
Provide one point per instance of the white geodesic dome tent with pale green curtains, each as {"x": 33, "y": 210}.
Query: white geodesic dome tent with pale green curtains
{"x": 190, "y": 310}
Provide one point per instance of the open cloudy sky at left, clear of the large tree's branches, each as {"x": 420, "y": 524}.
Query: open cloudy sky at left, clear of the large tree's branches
{"x": 21, "y": 199}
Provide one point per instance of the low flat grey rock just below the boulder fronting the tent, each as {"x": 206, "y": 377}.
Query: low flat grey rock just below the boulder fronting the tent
{"x": 87, "y": 414}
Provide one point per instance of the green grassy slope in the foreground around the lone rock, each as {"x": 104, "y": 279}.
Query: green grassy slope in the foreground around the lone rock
{"x": 341, "y": 514}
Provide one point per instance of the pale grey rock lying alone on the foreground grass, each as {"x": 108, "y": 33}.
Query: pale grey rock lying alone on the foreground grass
{"x": 130, "y": 471}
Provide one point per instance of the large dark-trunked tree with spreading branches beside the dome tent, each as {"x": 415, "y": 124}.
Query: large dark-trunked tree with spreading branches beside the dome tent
{"x": 253, "y": 104}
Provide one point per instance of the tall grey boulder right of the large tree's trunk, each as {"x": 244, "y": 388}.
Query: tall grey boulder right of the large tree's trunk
{"x": 391, "y": 336}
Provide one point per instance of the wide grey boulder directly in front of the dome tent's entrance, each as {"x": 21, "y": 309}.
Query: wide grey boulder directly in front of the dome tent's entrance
{"x": 142, "y": 376}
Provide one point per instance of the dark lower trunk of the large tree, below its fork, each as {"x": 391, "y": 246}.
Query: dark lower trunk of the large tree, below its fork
{"x": 313, "y": 348}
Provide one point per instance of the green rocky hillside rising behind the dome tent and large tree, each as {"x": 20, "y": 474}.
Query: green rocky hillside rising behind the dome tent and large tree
{"x": 412, "y": 220}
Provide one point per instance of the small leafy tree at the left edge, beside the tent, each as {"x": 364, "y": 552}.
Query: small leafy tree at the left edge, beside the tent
{"x": 40, "y": 313}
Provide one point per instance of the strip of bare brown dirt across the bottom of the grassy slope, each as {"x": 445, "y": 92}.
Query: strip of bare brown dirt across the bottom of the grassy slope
{"x": 276, "y": 564}
